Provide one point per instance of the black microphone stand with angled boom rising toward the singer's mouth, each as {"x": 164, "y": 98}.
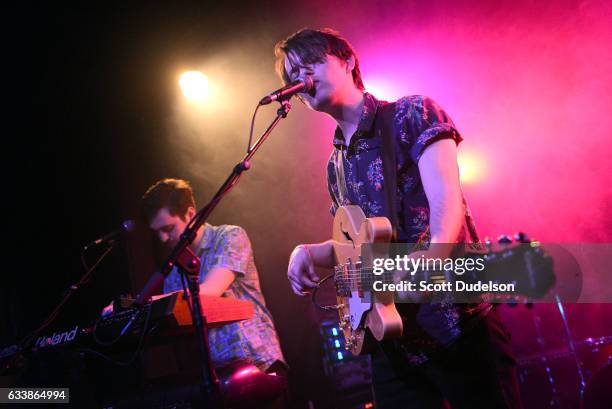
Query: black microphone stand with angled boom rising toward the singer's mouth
{"x": 188, "y": 264}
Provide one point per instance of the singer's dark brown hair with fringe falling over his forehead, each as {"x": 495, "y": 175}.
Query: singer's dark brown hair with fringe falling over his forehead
{"x": 312, "y": 46}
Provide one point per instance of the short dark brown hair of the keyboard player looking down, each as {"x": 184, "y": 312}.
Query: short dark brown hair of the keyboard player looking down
{"x": 175, "y": 194}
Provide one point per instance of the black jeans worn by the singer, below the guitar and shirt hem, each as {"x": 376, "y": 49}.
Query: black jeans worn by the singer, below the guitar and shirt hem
{"x": 477, "y": 371}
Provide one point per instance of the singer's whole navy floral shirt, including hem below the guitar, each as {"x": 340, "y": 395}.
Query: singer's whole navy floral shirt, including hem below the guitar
{"x": 355, "y": 176}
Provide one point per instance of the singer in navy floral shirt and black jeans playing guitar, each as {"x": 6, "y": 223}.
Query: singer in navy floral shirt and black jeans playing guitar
{"x": 449, "y": 352}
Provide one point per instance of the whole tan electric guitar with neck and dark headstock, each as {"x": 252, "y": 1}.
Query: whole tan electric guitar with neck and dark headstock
{"x": 365, "y": 314}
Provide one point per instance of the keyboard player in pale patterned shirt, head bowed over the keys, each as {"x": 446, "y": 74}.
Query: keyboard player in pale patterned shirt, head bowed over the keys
{"x": 227, "y": 269}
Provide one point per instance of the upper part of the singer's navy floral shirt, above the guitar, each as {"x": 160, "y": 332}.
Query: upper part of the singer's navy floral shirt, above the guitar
{"x": 419, "y": 122}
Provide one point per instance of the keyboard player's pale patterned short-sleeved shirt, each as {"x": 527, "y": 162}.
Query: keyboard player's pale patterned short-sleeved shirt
{"x": 253, "y": 340}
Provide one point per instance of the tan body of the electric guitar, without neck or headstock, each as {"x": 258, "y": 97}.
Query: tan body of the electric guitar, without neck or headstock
{"x": 363, "y": 313}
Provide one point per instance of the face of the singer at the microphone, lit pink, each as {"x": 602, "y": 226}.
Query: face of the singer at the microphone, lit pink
{"x": 330, "y": 78}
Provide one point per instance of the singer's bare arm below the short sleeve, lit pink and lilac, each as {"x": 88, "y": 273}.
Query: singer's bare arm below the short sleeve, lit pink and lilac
{"x": 440, "y": 177}
